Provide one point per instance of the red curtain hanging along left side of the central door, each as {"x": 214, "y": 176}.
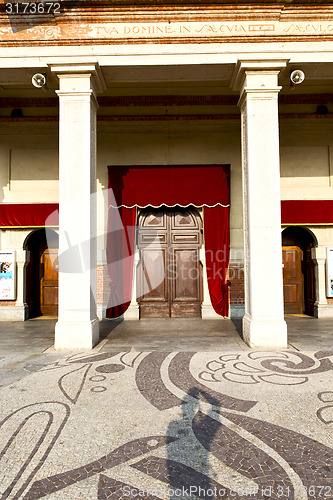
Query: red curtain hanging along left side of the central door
{"x": 120, "y": 254}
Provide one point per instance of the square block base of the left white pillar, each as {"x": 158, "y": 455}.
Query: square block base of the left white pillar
{"x": 76, "y": 334}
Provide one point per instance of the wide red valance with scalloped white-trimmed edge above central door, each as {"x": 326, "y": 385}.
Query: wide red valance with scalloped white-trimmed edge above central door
{"x": 183, "y": 185}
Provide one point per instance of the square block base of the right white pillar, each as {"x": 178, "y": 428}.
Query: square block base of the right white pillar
{"x": 265, "y": 333}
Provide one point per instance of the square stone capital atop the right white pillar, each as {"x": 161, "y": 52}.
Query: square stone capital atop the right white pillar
{"x": 254, "y": 67}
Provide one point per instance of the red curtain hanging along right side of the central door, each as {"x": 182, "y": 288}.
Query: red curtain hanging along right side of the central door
{"x": 217, "y": 245}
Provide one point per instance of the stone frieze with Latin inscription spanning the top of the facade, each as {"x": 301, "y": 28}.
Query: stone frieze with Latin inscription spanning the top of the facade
{"x": 197, "y": 27}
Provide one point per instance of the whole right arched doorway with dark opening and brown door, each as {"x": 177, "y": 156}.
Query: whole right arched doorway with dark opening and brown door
{"x": 299, "y": 284}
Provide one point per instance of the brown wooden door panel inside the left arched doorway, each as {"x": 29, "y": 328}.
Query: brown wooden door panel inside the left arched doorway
{"x": 49, "y": 282}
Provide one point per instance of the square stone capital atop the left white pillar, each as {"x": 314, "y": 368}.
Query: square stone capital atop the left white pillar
{"x": 87, "y": 76}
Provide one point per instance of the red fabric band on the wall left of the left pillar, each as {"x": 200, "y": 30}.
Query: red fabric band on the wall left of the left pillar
{"x": 29, "y": 214}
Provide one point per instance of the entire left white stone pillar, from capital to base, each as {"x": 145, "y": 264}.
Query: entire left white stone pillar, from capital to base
{"x": 77, "y": 325}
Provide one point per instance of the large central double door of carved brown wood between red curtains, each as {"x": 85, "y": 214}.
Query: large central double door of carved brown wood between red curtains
{"x": 172, "y": 261}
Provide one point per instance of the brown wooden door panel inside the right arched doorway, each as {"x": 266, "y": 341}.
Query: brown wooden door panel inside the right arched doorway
{"x": 293, "y": 290}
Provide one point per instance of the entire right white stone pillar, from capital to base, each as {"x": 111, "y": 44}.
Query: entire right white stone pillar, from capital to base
{"x": 263, "y": 323}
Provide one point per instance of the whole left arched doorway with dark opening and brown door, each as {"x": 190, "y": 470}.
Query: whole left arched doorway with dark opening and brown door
{"x": 42, "y": 273}
